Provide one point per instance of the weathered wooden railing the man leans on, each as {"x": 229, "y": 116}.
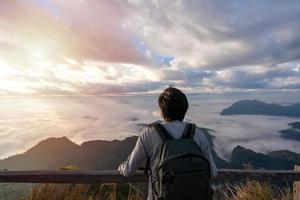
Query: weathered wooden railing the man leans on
{"x": 110, "y": 176}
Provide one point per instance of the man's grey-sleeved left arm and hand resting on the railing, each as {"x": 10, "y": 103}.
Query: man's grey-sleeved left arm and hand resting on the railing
{"x": 138, "y": 154}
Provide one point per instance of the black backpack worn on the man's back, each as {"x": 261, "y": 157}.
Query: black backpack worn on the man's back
{"x": 183, "y": 172}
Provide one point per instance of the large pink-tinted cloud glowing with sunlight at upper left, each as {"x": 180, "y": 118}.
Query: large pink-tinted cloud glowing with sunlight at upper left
{"x": 80, "y": 31}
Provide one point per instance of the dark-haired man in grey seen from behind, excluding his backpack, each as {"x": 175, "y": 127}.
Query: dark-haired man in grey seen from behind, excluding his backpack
{"x": 173, "y": 105}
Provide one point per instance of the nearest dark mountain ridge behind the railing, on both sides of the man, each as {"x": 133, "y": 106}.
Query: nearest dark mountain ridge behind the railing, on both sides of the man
{"x": 54, "y": 153}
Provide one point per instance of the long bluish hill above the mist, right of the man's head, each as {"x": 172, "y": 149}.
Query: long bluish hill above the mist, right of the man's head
{"x": 255, "y": 107}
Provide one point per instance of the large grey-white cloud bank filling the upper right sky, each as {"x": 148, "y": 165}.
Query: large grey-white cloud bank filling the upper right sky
{"x": 219, "y": 34}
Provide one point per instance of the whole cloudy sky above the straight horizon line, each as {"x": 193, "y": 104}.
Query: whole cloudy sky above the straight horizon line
{"x": 108, "y": 47}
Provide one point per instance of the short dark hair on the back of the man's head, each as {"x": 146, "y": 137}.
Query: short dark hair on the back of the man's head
{"x": 173, "y": 104}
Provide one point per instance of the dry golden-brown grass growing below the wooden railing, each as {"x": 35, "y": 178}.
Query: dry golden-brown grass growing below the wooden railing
{"x": 248, "y": 191}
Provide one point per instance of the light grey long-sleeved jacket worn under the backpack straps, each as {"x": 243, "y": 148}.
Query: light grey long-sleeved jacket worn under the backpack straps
{"x": 149, "y": 143}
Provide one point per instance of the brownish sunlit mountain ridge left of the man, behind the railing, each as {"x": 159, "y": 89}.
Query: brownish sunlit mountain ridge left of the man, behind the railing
{"x": 54, "y": 153}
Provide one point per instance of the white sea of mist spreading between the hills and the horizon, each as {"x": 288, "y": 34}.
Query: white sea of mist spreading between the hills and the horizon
{"x": 25, "y": 121}
